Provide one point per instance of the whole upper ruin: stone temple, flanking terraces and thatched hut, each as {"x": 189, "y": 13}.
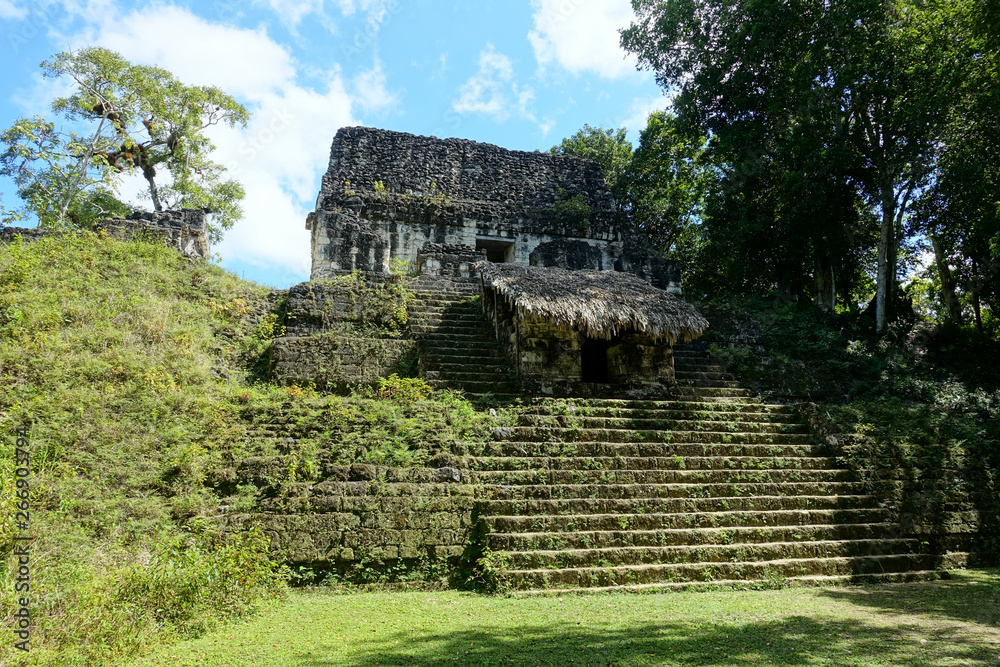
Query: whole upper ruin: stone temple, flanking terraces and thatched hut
{"x": 446, "y": 211}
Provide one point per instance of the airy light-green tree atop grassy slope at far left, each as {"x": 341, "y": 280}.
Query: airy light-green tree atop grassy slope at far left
{"x": 122, "y": 119}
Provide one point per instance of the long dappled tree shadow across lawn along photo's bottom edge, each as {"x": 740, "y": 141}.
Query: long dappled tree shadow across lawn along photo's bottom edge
{"x": 793, "y": 641}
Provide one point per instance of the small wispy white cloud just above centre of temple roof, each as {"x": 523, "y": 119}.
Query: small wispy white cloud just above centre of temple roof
{"x": 493, "y": 91}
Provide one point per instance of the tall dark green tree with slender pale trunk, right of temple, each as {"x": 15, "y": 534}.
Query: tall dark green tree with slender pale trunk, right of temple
{"x": 775, "y": 83}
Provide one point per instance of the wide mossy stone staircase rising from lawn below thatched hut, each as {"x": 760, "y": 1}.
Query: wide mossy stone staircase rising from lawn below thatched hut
{"x": 602, "y": 494}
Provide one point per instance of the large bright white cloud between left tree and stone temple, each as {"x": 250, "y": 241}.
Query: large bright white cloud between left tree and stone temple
{"x": 280, "y": 157}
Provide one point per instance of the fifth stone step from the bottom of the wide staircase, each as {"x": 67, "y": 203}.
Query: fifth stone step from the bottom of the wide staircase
{"x": 674, "y": 498}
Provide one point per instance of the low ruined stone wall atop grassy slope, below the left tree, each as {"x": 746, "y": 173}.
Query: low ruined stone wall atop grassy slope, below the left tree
{"x": 184, "y": 230}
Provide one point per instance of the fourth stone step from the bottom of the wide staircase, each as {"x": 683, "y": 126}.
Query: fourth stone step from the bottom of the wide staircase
{"x": 691, "y": 514}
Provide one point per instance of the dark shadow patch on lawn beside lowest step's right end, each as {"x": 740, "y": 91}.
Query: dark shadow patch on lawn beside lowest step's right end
{"x": 972, "y": 597}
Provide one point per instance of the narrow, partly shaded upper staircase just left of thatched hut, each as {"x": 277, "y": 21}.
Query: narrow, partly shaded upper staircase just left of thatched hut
{"x": 458, "y": 348}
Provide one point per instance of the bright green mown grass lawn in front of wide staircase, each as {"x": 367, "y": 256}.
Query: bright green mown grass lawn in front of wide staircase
{"x": 951, "y": 622}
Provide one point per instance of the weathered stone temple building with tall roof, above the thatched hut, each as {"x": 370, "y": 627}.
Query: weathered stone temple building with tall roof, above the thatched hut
{"x": 393, "y": 201}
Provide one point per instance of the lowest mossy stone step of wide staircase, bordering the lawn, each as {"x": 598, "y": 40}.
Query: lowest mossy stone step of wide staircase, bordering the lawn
{"x": 591, "y": 577}
